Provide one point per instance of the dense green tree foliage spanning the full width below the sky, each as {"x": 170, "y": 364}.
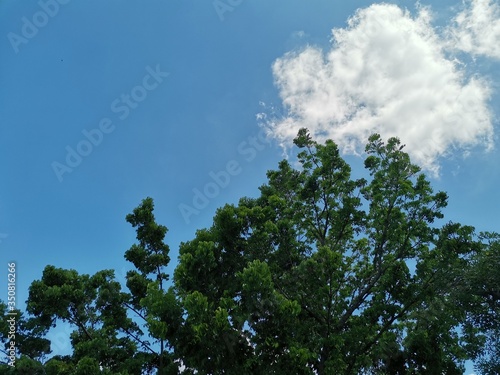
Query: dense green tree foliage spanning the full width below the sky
{"x": 321, "y": 274}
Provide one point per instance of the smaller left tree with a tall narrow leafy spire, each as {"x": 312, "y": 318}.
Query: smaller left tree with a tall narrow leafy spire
{"x": 106, "y": 337}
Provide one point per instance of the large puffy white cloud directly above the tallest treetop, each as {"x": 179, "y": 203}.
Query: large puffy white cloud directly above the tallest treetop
{"x": 387, "y": 72}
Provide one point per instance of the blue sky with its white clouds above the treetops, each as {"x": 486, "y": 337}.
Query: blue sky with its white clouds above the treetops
{"x": 427, "y": 72}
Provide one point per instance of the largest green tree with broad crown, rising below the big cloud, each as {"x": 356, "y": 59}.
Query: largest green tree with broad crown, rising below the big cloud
{"x": 314, "y": 275}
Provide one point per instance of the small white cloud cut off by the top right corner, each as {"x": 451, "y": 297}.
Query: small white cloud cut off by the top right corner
{"x": 476, "y": 29}
